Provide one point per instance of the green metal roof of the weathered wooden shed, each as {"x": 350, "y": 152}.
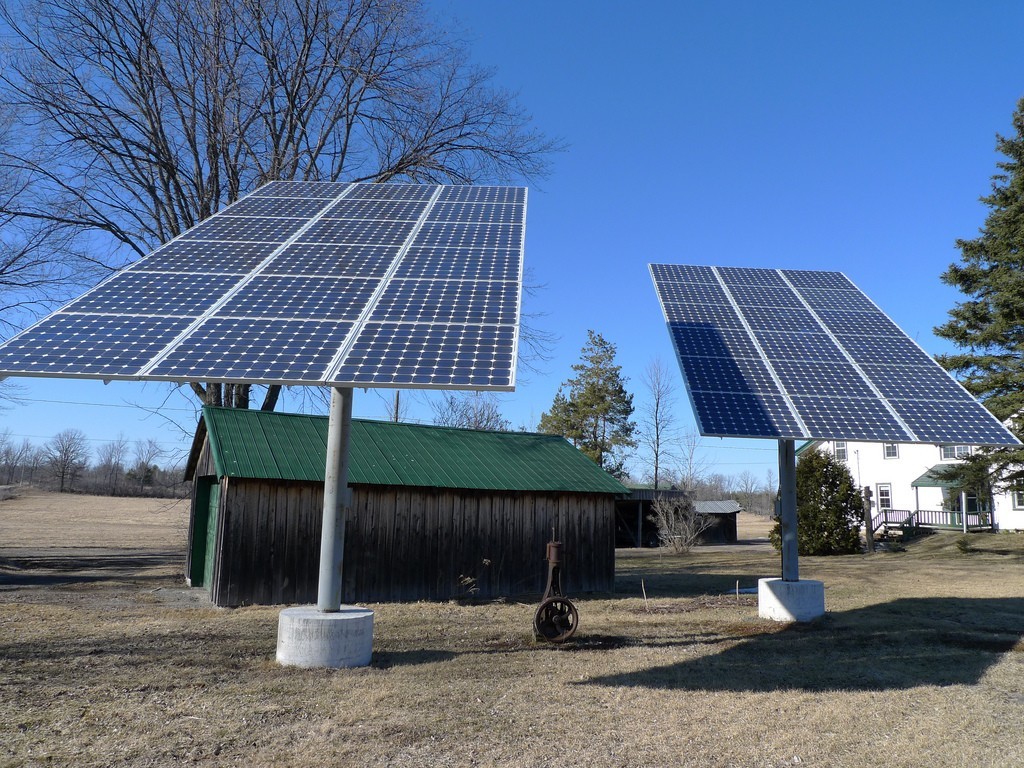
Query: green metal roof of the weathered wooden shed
{"x": 290, "y": 447}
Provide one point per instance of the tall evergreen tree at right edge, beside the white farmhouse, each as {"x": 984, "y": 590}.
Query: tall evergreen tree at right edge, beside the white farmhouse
{"x": 989, "y": 326}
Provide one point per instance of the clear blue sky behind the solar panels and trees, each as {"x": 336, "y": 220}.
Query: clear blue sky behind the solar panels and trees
{"x": 856, "y": 138}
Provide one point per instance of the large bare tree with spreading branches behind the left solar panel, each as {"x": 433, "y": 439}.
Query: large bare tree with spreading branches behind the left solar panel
{"x": 141, "y": 118}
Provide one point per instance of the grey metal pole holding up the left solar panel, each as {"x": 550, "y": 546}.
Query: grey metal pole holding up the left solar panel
{"x": 337, "y": 500}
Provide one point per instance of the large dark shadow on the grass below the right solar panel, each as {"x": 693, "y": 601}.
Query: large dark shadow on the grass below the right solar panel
{"x": 897, "y": 646}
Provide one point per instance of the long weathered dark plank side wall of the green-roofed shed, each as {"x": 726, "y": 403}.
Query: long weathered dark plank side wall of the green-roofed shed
{"x": 409, "y": 544}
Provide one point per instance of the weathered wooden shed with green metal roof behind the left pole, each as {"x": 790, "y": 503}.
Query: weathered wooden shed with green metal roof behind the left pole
{"x": 438, "y": 514}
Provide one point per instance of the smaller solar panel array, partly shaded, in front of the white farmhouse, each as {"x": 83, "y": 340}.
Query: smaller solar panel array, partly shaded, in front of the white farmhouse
{"x": 805, "y": 355}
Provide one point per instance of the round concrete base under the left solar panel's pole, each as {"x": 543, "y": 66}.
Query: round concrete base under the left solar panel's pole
{"x": 309, "y": 637}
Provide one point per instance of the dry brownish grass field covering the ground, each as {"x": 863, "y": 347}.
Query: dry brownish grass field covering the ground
{"x": 106, "y": 660}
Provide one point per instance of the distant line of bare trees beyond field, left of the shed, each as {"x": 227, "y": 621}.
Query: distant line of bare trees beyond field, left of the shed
{"x": 67, "y": 464}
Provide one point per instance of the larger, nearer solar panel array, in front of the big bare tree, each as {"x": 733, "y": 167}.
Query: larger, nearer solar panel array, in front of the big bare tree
{"x": 309, "y": 283}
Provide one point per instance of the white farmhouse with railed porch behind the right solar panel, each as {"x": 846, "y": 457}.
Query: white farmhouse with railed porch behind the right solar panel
{"x": 903, "y": 481}
